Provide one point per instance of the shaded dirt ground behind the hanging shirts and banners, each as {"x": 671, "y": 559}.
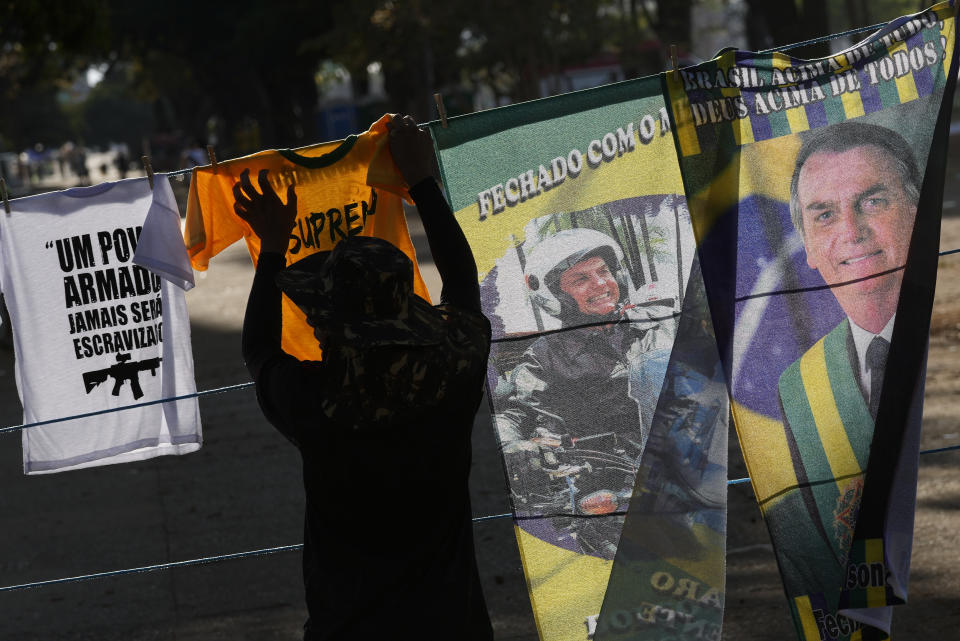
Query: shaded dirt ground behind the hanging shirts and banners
{"x": 242, "y": 492}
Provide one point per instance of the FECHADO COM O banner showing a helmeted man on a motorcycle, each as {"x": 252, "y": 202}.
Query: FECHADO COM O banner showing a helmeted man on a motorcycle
{"x": 574, "y": 210}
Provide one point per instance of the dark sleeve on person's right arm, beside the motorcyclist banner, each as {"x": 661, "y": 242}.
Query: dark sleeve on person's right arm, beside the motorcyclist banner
{"x": 449, "y": 247}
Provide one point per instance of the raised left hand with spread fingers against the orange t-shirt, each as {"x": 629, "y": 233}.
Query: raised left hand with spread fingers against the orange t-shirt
{"x": 267, "y": 216}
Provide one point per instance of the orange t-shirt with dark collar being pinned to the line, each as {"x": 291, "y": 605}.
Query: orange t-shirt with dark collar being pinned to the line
{"x": 343, "y": 189}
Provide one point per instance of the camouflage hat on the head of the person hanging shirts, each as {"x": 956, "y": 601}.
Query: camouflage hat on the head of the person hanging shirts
{"x": 363, "y": 291}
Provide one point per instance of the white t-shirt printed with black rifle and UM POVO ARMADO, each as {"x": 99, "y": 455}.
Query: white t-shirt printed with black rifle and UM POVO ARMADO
{"x": 92, "y": 330}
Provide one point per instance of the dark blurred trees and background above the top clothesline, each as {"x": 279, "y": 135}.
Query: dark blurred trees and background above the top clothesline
{"x": 161, "y": 77}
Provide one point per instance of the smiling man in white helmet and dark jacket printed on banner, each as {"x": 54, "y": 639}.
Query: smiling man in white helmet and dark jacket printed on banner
{"x": 593, "y": 385}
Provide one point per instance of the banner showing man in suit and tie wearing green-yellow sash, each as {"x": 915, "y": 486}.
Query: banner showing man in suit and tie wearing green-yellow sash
{"x": 815, "y": 192}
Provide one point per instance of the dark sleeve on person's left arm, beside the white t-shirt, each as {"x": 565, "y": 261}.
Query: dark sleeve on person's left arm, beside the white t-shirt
{"x": 279, "y": 377}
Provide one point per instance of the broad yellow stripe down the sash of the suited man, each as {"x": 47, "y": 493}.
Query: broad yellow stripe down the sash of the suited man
{"x": 823, "y": 405}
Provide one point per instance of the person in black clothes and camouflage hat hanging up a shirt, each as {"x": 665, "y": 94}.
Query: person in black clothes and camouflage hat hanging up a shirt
{"x": 383, "y": 422}
